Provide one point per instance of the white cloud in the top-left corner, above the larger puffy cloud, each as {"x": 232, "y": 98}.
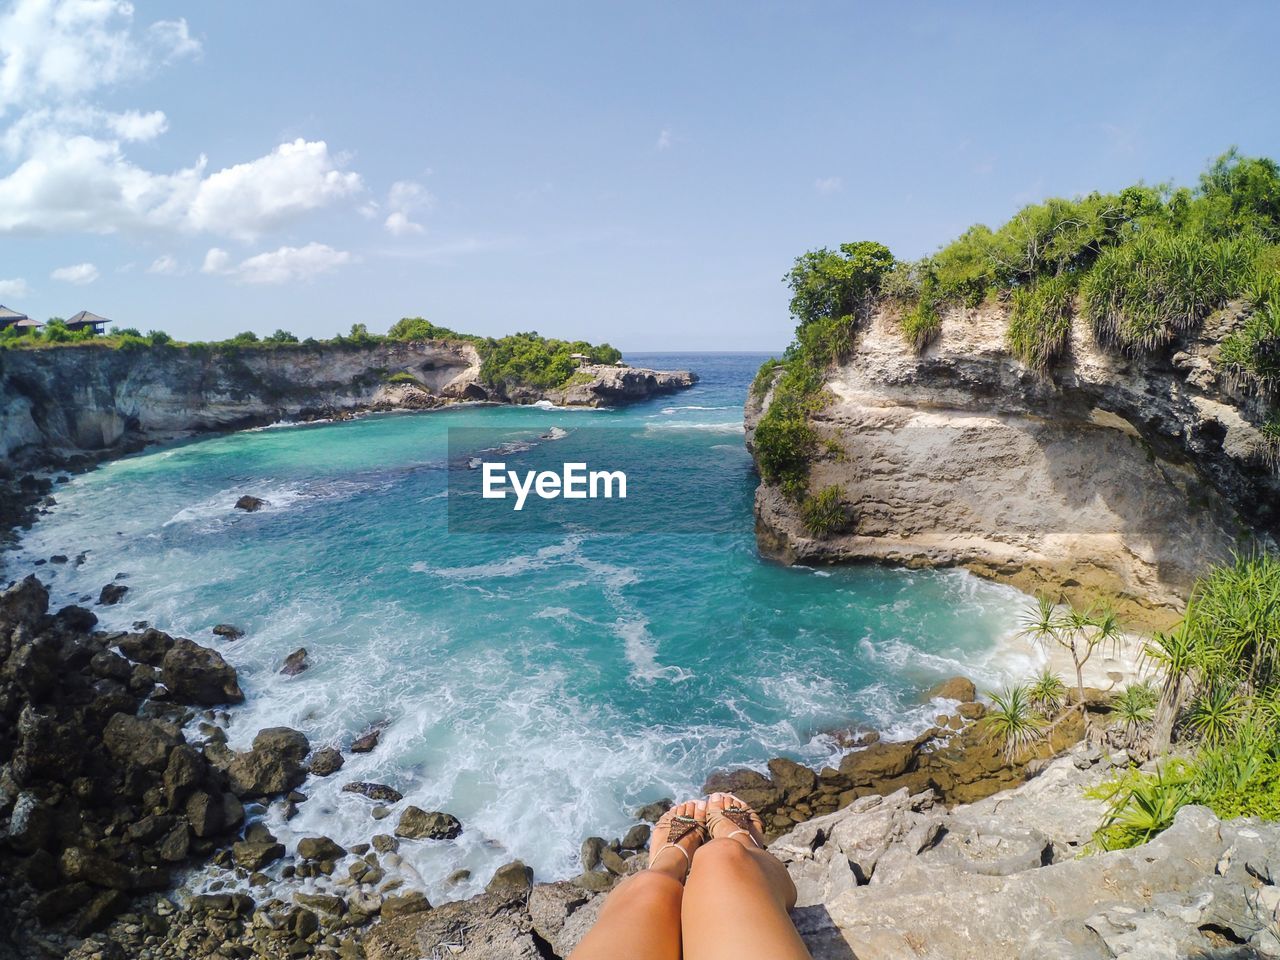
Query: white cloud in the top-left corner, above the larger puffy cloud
{"x": 66, "y": 49}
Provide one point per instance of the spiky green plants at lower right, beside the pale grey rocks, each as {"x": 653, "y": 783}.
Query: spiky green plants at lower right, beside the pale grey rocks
{"x": 1222, "y": 694}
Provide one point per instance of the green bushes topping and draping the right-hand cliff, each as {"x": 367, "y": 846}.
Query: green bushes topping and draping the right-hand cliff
{"x": 1141, "y": 267}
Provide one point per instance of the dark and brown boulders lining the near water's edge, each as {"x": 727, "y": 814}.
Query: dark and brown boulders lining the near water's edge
{"x": 117, "y": 784}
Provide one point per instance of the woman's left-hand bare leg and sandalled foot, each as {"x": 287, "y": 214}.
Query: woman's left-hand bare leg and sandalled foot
{"x": 641, "y": 920}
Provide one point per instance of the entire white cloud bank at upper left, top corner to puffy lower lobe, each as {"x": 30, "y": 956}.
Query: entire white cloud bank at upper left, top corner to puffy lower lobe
{"x": 70, "y": 170}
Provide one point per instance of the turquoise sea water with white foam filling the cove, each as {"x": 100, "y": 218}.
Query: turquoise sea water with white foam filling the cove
{"x": 537, "y": 687}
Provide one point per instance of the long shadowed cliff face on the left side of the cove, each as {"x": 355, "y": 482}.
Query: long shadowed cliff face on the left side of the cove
{"x": 92, "y": 399}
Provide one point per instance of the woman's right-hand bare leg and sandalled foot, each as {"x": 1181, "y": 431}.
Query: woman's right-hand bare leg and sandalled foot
{"x": 738, "y": 895}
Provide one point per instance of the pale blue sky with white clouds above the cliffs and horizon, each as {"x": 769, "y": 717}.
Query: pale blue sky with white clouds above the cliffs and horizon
{"x": 636, "y": 173}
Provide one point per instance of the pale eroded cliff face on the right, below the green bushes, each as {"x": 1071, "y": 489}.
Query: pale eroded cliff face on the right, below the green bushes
{"x": 1116, "y": 476}
